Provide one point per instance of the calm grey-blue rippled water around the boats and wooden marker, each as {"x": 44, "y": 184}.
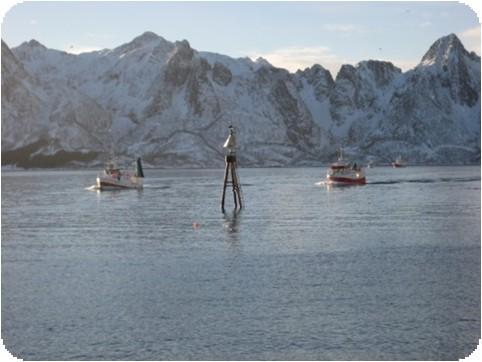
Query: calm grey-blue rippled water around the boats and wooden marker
{"x": 389, "y": 270}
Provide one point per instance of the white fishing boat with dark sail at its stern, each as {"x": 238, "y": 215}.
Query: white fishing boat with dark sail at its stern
{"x": 116, "y": 178}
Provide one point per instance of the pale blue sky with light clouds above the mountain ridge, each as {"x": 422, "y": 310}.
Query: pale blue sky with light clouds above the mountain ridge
{"x": 291, "y": 35}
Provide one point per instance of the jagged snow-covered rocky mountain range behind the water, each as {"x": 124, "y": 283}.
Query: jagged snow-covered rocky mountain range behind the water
{"x": 171, "y": 105}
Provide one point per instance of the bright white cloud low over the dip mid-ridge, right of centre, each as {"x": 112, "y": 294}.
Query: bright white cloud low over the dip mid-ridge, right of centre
{"x": 294, "y": 58}
